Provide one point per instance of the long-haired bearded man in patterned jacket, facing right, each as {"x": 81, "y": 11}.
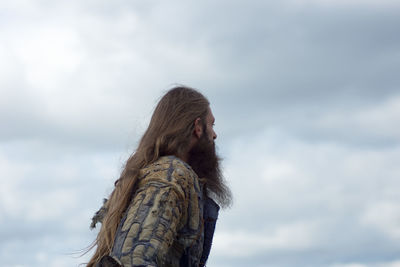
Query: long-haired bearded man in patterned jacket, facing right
{"x": 161, "y": 212}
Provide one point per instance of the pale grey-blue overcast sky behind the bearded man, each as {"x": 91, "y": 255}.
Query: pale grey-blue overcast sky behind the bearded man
{"x": 306, "y": 95}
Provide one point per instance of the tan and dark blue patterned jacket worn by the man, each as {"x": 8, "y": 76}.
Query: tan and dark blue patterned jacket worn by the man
{"x": 169, "y": 222}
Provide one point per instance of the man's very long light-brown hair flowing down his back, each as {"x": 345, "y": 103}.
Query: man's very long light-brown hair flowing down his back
{"x": 169, "y": 133}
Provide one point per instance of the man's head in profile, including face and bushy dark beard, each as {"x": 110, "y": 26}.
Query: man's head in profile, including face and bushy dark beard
{"x": 182, "y": 125}
